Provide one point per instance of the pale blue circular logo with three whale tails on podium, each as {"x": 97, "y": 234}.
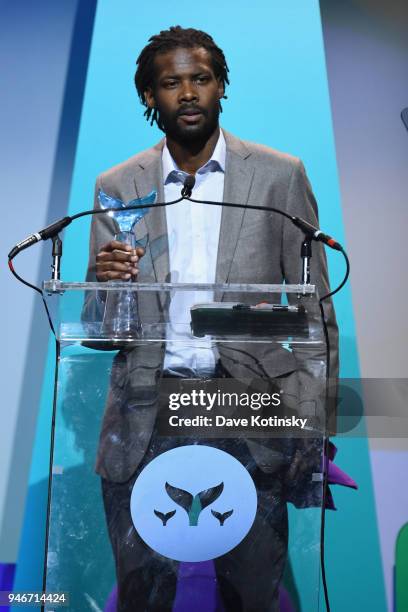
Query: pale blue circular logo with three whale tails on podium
{"x": 193, "y": 503}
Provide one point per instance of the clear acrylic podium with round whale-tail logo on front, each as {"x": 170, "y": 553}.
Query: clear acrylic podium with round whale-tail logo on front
{"x": 225, "y": 546}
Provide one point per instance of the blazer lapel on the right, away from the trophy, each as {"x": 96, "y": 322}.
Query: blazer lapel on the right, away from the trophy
{"x": 238, "y": 179}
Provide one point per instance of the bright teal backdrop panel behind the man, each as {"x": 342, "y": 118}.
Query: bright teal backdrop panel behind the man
{"x": 279, "y": 97}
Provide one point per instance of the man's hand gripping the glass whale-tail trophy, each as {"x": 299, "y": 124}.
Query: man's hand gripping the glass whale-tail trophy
{"x": 117, "y": 261}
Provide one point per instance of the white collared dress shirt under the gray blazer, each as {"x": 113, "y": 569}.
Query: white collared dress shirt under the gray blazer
{"x": 193, "y": 233}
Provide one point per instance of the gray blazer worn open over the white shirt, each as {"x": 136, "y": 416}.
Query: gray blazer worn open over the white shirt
{"x": 254, "y": 246}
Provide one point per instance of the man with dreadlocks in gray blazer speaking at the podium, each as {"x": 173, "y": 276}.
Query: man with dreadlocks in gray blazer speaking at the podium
{"x": 181, "y": 78}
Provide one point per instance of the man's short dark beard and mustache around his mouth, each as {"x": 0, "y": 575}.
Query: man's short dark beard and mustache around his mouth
{"x": 189, "y": 134}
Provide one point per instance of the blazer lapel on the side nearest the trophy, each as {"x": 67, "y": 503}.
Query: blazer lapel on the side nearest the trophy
{"x": 148, "y": 177}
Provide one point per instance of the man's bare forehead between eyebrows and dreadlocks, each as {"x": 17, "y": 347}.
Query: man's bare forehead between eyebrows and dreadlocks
{"x": 182, "y": 59}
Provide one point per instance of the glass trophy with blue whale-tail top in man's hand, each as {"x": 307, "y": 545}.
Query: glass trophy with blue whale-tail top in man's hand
{"x": 121, "y": 316}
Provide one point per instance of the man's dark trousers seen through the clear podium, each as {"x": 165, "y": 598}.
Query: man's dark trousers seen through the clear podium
{"x": 248, "y": 576}
